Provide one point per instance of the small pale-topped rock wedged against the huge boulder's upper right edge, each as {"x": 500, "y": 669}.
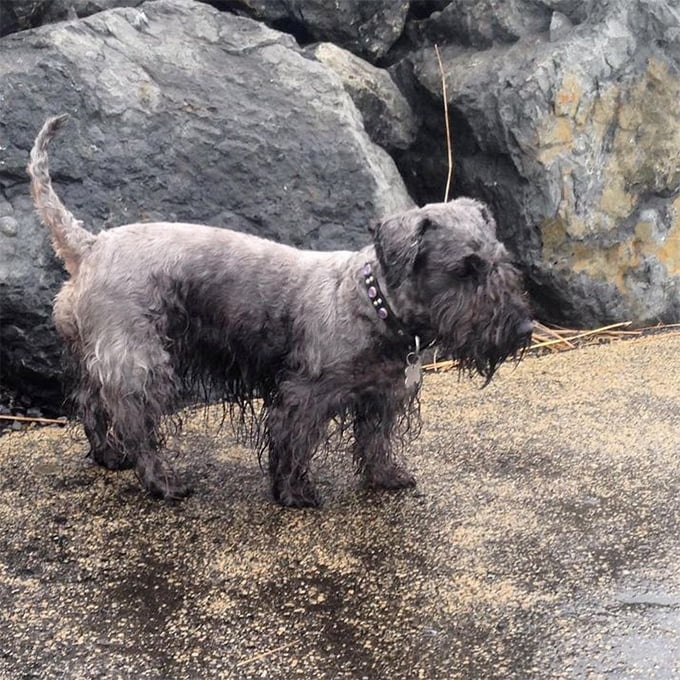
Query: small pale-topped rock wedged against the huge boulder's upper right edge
{"x": 388, "y": 117}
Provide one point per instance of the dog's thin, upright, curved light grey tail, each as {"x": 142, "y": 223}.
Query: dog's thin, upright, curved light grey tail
{"x": 69, "y": 239}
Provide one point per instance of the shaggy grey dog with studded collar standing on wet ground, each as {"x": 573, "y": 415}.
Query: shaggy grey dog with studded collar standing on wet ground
{"x": 154, "y": 313}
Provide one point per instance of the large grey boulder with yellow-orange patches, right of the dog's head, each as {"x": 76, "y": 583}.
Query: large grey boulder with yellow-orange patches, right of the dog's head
{"x": 576, "y": 143}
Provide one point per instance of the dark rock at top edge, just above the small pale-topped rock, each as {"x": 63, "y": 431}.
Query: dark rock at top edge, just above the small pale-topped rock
{"x": 365, "y": 28}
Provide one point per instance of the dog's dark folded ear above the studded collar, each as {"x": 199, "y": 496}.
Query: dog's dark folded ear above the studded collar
{"x": 398, "y": 242}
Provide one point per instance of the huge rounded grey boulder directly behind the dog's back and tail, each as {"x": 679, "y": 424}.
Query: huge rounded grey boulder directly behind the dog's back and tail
{"x": 178, "y": 112}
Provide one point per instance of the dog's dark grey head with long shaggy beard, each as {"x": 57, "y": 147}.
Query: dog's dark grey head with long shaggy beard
{"x": 454, "y": 281}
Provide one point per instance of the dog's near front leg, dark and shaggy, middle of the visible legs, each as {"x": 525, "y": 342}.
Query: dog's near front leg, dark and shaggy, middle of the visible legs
{"x": 296, "y": 423}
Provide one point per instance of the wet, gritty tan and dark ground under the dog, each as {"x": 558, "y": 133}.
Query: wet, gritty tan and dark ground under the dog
{"x": 542, "y": 542}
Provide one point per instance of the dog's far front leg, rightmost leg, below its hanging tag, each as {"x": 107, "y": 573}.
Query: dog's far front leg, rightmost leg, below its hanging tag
{"x": 374, "y": 423}
